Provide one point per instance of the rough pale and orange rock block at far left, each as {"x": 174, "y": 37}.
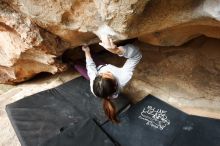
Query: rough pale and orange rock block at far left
{"x": 26, "y": 49}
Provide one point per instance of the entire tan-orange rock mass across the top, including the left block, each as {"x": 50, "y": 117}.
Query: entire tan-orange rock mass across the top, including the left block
{"x": 71, "y": 23}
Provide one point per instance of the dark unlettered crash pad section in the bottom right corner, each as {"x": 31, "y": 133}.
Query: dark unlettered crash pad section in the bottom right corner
{"x": 199, "y": 131}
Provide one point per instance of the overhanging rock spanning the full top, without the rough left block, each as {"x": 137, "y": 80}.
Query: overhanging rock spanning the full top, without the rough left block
{"x": 159, "y": 22}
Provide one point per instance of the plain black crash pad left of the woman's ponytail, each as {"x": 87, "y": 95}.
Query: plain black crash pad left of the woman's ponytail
{"x": 39, "y": 117}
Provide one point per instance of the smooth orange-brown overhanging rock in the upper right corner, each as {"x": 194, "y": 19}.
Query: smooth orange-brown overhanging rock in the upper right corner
{"x": 171, "y": 22}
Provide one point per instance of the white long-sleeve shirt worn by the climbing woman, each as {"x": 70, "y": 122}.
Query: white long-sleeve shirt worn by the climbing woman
{"x": 122, "y": 74}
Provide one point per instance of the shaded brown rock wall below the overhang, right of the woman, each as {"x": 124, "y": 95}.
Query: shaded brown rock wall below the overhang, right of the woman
{"x": 187, "y": 76}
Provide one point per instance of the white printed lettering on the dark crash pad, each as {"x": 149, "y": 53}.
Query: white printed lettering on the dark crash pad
{"x": 155, "y": 117}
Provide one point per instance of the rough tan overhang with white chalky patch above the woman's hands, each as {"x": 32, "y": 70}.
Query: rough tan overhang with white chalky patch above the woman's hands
{"x": 76, "y": 21}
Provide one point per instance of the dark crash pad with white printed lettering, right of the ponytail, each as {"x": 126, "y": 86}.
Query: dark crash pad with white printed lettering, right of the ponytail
{"x": 152, "y": 122}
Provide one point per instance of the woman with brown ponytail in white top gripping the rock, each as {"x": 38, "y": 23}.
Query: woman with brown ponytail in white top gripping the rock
{"x": 107, "y": 80}
